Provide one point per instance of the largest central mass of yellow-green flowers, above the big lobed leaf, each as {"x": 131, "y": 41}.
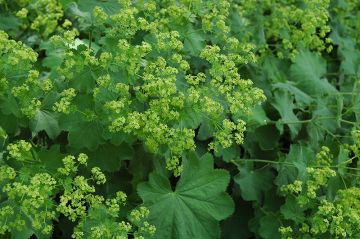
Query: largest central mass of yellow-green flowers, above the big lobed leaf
{"x": 150, "y": 88}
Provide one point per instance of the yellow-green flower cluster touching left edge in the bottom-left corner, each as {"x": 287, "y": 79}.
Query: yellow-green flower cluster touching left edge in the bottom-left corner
{"x": 29, "y": 200}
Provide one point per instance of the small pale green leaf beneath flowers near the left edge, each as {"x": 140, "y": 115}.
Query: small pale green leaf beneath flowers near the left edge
{"x": 45, "y": 120}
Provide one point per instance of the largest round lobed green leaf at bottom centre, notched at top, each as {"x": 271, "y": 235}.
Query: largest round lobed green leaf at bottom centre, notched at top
{"x": 196, "y": 205}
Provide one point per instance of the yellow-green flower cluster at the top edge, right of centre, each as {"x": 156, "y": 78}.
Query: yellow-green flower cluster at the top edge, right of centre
{"x": 289, "y": 27}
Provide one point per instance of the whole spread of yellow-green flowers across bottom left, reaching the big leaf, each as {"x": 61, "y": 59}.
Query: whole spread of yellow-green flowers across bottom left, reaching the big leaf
{"x": 31, "y": 195}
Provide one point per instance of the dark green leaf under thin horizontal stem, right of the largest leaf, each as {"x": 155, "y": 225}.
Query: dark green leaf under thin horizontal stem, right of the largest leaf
{"x": 252, "y": 183}
